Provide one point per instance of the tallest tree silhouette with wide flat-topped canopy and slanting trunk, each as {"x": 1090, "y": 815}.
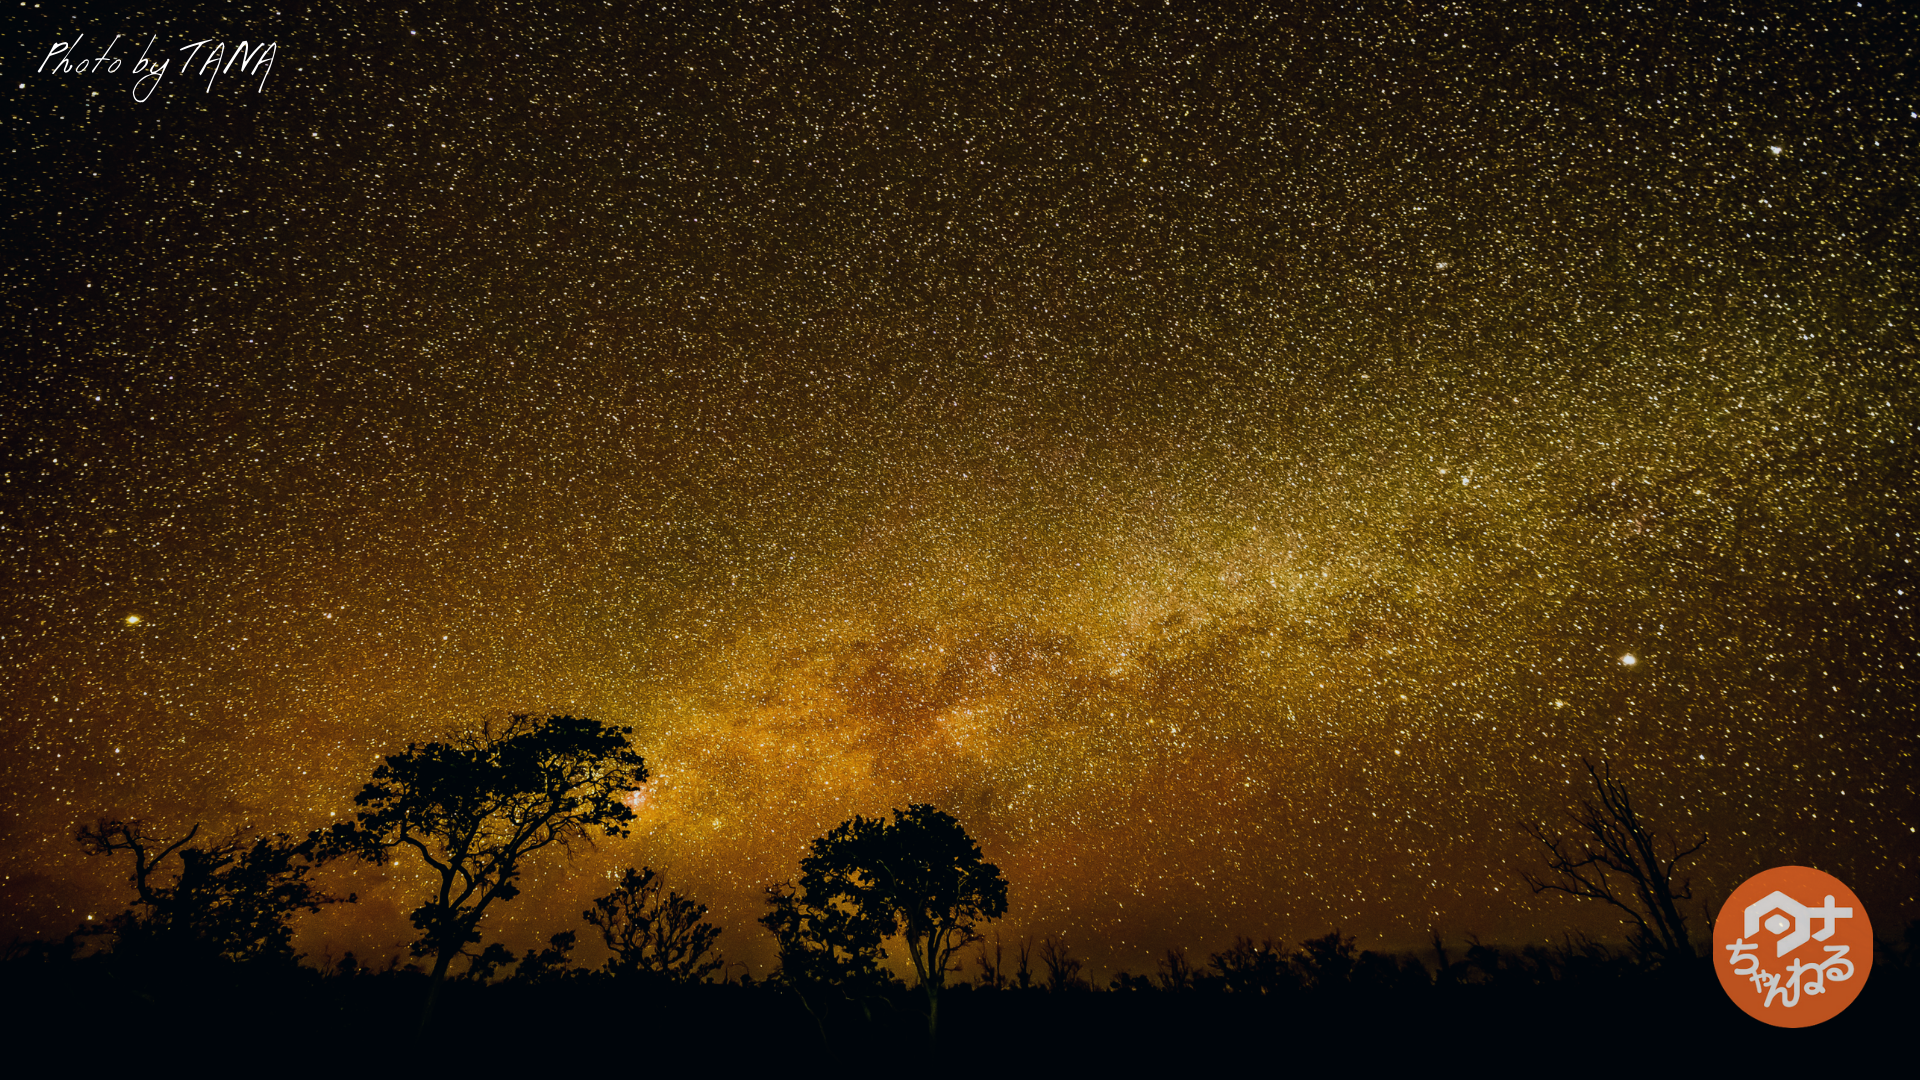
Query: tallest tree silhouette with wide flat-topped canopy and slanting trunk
{"x": 477, "y": 806}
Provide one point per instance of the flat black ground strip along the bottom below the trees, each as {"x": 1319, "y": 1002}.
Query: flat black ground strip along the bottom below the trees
{"x": 101, "y": 1021}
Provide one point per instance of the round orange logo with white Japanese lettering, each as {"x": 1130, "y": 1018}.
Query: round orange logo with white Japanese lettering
{"x": 1792, "y": 946}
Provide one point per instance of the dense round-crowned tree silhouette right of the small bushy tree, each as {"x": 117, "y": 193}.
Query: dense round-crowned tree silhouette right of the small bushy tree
{"x": 921, "y": 877}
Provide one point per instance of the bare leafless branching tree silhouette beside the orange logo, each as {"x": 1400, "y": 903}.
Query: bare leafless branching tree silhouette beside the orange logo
{"x": 1618, "y": 860}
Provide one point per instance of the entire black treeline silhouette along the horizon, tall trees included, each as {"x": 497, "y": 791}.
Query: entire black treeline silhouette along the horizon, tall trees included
{"x": 203, "y": 956}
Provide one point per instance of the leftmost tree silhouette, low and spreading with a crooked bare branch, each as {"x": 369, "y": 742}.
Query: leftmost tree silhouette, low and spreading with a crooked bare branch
{"x": 233, "y": 900}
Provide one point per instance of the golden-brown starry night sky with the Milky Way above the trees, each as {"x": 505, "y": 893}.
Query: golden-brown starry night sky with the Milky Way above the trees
{"x": 1236, "y": 462}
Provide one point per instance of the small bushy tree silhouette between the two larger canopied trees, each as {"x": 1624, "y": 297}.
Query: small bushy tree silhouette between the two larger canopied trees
{"x": 652, "y": 935}
